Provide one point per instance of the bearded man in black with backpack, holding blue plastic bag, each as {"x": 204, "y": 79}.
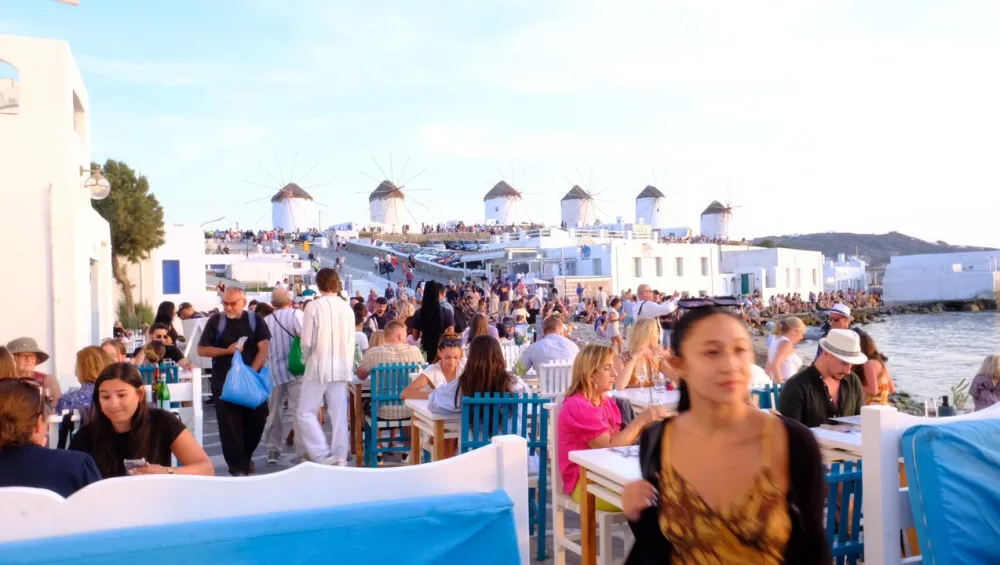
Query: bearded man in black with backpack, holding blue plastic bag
{"x": 240, "y": 428}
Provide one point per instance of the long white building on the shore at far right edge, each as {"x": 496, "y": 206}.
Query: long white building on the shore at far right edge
{"x": 942, "y": 277}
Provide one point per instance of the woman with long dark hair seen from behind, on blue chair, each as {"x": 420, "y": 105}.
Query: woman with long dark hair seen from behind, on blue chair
{"x": 485, "y": 372}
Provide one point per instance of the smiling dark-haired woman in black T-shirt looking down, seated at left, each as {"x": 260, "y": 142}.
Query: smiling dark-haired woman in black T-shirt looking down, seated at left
{"x": 123, "y": 426}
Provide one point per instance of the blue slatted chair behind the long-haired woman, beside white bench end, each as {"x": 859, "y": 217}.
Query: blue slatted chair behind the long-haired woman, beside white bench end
{"x": 513, "y": 414}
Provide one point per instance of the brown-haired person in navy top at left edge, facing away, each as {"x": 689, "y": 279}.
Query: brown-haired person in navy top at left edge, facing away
{"x": 24, "y": 460}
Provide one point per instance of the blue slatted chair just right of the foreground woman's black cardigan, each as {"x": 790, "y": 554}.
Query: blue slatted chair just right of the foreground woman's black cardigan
{"x": 843, "y": 512}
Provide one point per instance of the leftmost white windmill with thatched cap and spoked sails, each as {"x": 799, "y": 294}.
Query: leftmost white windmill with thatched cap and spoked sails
{"x": 293, "y": 209}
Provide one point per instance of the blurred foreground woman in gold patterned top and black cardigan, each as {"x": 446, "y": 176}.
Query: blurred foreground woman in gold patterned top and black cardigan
{"x": 725, "y": 482}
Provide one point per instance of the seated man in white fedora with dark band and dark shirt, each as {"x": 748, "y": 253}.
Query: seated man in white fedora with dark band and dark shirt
{"x": 827, "y": 388}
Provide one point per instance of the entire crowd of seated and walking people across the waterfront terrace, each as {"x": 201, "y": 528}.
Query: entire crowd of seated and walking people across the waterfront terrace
{"x": 694, "y": 462}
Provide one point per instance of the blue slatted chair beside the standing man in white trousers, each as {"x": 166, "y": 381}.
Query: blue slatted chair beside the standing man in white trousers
{"x": 387, "y": 412}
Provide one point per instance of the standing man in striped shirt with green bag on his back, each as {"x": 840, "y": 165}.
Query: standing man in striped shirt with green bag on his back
{"x": 284, "y": 323}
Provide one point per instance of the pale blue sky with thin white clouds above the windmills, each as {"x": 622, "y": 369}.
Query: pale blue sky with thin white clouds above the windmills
{"x": 858, "y": 116}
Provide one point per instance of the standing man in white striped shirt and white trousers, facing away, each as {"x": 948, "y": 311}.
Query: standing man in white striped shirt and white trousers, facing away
{"x": 328, "y": 342}
